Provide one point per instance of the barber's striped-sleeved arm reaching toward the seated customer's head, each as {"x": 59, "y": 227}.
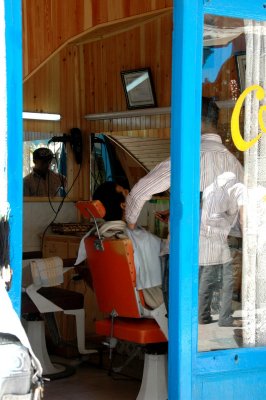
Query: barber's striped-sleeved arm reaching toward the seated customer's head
{"x": 156, "y": 181}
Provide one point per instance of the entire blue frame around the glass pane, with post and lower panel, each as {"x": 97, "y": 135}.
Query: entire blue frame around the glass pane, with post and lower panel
{"x": 227, "y": 374}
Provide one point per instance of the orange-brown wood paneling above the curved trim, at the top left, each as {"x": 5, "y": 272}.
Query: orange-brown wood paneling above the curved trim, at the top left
{"x": 50, "y": 24}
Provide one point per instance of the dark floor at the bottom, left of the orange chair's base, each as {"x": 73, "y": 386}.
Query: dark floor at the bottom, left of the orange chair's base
{"x": 92, "y": 383}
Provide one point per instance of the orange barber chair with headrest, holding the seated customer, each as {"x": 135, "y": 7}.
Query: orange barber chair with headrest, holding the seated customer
{"x": 111, "y": 262}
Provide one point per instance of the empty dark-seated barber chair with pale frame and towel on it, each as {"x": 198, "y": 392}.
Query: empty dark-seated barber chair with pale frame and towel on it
{"x": 40, "y": 300}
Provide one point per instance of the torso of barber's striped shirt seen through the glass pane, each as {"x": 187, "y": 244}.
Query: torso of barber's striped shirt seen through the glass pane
{"x": 220, "y": 204}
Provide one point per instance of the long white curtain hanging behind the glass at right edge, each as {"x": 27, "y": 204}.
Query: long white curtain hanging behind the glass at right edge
{"x": 254, "y": 235}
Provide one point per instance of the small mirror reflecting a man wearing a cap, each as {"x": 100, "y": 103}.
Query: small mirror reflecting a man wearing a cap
{"x": 44, "y": 168}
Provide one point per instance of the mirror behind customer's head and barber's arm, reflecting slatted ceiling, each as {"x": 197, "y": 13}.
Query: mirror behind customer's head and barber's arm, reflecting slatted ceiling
{"x": 125, "y": 160}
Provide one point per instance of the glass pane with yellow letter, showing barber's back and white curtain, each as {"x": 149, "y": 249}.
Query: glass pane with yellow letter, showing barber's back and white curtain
{"x": 232, "y": 244}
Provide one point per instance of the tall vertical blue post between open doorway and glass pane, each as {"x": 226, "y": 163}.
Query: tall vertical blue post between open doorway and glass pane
{"x": 184, "y": 208}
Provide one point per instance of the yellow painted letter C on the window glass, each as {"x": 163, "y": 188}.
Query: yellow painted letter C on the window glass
{"x": 238, "y": 140}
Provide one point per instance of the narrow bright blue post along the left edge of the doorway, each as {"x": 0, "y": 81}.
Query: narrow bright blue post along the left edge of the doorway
{"x": 13, "y": 19}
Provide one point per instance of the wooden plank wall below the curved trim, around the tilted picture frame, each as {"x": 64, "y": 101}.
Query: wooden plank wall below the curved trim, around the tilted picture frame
{"x": 85, "y": 79}
